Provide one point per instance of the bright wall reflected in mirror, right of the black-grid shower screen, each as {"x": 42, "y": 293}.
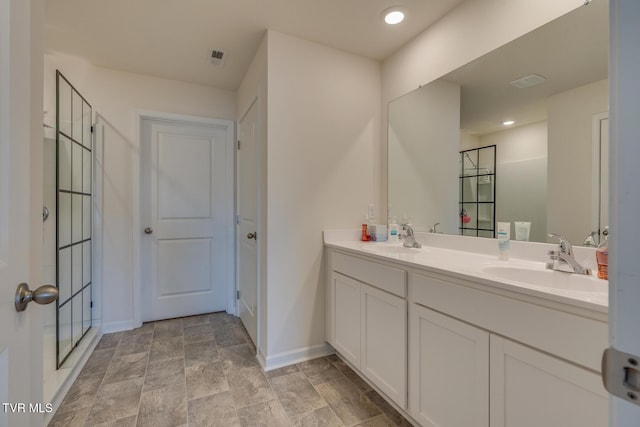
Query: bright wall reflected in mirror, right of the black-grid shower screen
{"x": 521, "y": 176}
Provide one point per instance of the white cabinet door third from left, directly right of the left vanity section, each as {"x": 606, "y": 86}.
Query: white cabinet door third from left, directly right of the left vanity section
{"x": 448, "y": 371}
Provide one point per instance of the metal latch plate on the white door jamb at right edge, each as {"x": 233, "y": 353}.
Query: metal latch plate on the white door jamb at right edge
{"x": 621, "y": 374}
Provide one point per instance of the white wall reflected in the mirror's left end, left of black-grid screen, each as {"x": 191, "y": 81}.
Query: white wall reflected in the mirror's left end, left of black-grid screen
{"x": 423, "y": 126}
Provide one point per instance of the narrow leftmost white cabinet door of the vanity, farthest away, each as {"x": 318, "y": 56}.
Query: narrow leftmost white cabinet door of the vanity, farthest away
{"x": 346, "y": 303}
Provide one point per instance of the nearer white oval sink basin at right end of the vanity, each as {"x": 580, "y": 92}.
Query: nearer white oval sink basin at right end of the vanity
{"x": 542, "y": 278}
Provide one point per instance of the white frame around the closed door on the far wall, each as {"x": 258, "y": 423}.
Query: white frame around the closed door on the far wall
{"x": 229, "y": 126}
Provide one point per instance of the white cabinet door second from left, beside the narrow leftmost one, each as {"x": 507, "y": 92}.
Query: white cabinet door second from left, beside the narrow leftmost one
{"x": 384, "y": 342}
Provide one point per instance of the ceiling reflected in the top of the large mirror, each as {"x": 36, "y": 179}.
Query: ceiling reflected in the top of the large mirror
{"x": 570, "y": 51}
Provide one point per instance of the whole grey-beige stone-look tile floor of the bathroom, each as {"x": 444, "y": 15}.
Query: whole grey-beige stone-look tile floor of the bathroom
{"x": 201, "y": 371}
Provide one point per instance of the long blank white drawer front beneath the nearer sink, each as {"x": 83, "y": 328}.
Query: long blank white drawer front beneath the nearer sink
{"x": 566, "y": 335}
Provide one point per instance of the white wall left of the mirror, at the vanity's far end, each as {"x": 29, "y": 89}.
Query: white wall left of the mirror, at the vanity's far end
{"x": 323, "y": 154}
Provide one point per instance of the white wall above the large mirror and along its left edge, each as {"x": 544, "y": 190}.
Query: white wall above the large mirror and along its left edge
{"x": 466, "y": 33}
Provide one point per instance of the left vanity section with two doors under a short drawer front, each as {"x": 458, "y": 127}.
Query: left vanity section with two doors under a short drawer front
{"x": 367, "y": 321}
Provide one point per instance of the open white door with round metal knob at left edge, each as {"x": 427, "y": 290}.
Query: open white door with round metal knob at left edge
{"x": 20, "y": 149}
